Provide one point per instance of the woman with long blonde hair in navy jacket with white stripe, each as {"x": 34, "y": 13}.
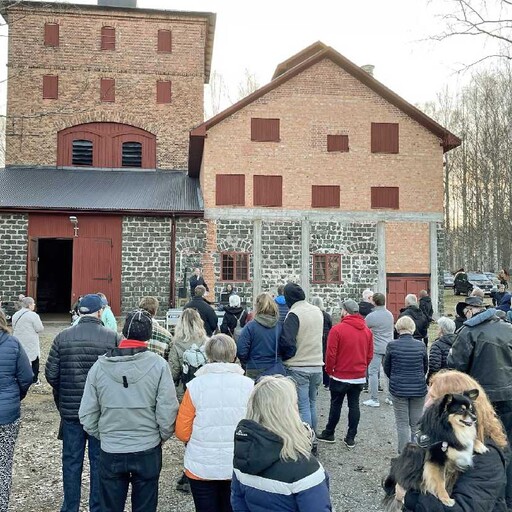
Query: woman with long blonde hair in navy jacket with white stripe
{"x": 273, "y": 465}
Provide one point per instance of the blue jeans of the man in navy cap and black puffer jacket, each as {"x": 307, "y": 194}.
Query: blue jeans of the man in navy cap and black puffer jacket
{"x": 74, "y": 438}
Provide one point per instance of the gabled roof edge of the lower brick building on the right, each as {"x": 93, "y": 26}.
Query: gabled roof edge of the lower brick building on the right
{"x": 291, "y": 68}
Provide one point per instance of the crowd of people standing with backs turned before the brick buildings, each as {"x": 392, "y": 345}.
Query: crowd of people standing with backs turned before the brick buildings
{"x": 242, "y": 395}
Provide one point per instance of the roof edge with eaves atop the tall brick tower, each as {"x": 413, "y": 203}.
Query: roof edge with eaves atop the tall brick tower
{"x": 64, "y": 7}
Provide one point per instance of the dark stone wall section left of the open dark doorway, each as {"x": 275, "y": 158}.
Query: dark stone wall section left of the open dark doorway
{"x": 13, "y": 255}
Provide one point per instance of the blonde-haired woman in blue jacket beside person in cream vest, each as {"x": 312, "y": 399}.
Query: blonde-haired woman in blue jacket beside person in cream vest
{"x": 258, "y": 346}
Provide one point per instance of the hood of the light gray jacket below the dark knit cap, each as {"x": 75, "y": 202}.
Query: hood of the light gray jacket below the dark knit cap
{"x": 131, "y": 364}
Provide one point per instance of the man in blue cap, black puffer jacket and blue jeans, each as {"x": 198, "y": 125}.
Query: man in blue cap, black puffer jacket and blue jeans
{"x": 72, "y": 355}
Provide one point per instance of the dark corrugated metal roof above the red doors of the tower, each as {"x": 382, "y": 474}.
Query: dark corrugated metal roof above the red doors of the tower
{"x": 99, "y": 190}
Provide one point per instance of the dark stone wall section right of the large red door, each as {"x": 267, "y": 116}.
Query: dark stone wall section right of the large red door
{"x": 145, "y": 260}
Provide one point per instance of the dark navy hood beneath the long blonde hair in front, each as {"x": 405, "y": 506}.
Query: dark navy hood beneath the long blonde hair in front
{"x": 256, "y": 448}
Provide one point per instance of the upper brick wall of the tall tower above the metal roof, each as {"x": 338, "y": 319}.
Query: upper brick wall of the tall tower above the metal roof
{"x": 33, "y": 123}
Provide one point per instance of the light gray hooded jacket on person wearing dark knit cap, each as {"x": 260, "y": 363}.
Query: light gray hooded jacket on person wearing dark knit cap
{"x": 129, "y": 401}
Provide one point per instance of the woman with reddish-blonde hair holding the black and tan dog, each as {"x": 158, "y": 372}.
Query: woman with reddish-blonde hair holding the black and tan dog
{"x": 482, "y": 487}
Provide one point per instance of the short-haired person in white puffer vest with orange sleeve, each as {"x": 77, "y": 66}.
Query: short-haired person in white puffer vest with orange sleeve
{"x": 215, "y": 401}
